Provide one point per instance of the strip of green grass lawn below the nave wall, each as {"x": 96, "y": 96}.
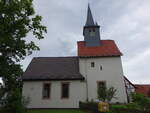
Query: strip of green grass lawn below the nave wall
{"x": 57, "y": 111}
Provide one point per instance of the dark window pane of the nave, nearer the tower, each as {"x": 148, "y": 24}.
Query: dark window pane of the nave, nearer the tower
{"x": 65, "y": 90}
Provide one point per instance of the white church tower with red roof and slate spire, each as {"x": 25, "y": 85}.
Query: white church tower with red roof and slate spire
{"x": 100, "y": 62}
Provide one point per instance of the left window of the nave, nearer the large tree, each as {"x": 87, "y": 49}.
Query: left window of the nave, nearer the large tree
{"x": 46, "y": 90}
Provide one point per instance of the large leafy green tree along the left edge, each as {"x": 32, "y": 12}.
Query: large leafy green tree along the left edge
{"x": 17, "y": 19}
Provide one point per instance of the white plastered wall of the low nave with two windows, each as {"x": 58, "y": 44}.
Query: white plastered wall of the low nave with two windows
{"x": 33, "y": 90}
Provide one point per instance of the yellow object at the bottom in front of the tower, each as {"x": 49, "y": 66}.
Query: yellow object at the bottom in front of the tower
{"x": 103, "y": 107}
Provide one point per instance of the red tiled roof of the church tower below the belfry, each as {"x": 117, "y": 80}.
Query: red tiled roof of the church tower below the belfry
{"x": 107, "y": 48}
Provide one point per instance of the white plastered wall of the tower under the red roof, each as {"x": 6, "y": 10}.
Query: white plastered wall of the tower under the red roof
{"x": 111, "y": 72}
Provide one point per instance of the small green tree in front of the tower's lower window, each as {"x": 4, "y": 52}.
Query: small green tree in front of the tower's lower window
{"x": 106, "y": 94}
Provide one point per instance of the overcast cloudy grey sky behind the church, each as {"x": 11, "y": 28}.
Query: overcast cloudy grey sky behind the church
{"x": 125, "y": 21}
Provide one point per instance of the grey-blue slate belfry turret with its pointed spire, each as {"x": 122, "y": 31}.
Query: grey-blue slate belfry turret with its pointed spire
{"x": 91, "y": 31}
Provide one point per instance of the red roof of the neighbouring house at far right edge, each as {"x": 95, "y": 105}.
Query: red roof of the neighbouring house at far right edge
{"x": 143, "y": 88}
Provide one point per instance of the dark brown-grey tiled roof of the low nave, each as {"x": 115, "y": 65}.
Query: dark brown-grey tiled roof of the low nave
{"x": 53, "y": 68}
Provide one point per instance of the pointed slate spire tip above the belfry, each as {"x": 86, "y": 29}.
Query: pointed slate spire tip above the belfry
{"x": 89, "y": 20}
